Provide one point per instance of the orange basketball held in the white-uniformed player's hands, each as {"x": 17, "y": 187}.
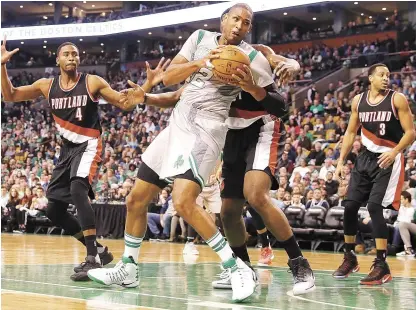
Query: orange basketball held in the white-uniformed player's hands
{"x": 231, "y": 58}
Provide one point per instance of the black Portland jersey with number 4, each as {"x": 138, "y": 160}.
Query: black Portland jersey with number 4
{"x": 75, "y": 110}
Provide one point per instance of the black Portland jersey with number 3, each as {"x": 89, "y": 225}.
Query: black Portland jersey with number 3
{"x": 380, "y": 126}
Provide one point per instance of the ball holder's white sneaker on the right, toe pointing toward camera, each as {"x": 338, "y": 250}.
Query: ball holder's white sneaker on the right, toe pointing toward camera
{"x": 243, "y": 279}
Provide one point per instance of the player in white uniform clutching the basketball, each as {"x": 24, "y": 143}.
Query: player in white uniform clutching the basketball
{"x": 189, "y": 147}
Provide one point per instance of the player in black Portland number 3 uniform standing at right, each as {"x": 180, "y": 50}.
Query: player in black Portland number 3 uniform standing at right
{"x": 378, "y": 175}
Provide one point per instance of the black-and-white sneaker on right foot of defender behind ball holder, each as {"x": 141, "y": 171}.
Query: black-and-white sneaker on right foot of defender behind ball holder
{"x": 303, "y": 278}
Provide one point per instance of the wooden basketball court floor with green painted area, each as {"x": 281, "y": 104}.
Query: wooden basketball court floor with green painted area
{"x": 36, "y": 269}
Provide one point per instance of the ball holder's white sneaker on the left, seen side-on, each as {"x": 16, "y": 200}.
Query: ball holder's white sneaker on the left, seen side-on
{"x": 125, "y": 273}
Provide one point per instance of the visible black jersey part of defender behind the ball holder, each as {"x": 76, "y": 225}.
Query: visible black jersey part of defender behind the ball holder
{"x": 244, "y": 111}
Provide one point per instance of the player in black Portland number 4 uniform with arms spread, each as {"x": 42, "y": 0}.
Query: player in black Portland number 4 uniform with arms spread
{"x": 73, "y": 98}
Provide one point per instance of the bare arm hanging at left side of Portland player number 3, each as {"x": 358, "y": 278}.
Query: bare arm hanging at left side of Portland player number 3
{"x": 349, "y": 136}
